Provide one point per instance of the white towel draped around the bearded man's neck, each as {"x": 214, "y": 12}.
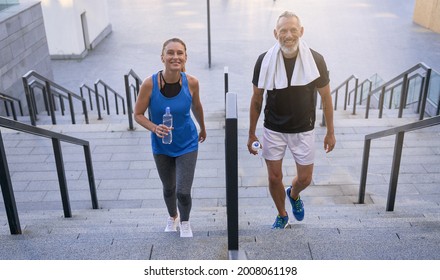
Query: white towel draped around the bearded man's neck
{"x": 273, "y": 71}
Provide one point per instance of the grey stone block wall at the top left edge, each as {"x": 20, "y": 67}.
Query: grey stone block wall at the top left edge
{"x": 23, "y": 47}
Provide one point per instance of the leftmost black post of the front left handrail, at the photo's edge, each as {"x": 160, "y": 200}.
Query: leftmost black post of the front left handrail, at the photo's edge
{"x": 7, "y": 192}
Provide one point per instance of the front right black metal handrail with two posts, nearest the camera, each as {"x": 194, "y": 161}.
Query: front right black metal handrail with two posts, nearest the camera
{"x": 398, "y": 146}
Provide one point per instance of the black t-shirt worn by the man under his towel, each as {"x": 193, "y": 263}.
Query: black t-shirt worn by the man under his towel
{"x": 292, "y": 109}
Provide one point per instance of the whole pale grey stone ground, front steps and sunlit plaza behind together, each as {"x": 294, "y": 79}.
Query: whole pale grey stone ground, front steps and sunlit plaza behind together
{"x": 361, "y": 38}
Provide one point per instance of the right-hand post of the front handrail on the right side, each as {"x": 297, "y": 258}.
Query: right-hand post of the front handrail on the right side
{"x": 397, "y": 156}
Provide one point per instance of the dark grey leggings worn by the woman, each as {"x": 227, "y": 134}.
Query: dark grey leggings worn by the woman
{"x": 177, "y": 175}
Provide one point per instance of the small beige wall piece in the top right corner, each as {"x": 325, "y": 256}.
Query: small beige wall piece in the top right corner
{"x": 427, "y": 14}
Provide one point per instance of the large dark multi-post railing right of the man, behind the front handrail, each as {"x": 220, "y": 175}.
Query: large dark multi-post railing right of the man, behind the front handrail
{"x": 403, "y": 81}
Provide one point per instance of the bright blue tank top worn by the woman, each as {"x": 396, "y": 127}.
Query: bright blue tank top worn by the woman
{"x": 185, "y": 135}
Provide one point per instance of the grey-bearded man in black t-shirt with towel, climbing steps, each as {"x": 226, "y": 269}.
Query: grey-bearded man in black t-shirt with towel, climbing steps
{"x": 290, "y": 72}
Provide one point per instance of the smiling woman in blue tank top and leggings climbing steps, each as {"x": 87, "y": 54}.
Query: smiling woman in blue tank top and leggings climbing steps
{"x": 175, "y": 162}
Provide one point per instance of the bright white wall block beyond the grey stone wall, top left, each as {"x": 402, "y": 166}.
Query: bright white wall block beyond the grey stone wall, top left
{"x": 64, "y": 26}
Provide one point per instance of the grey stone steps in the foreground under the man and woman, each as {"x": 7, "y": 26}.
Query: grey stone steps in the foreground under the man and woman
{"x": 131, "y": 218}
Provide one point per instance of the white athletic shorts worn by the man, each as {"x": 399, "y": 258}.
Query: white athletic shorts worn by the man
{"x": 301, "y": 145}
